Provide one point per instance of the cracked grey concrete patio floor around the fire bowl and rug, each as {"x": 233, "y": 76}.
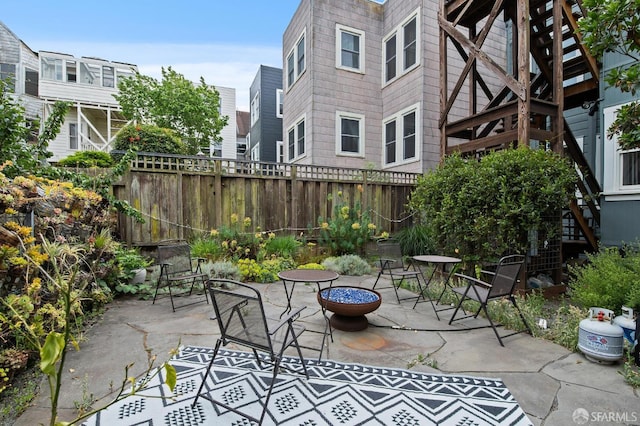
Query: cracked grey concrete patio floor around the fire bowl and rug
{"x": 549, "y": 382}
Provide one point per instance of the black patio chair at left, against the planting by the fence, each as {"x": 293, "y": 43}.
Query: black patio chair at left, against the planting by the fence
{"x": 177, "y": 270}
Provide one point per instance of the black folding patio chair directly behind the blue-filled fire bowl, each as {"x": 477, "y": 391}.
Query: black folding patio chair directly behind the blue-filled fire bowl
{"x": 392, "y": 265}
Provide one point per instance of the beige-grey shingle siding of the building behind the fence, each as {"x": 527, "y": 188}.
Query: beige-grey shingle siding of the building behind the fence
{"x": 325, "y": 88}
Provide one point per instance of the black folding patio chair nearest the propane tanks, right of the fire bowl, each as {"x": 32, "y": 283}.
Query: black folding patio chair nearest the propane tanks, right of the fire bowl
{"x": 503, "y": 284}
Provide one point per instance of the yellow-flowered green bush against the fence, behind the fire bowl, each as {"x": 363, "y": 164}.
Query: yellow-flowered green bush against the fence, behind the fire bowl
{"x": 347, "y": 231}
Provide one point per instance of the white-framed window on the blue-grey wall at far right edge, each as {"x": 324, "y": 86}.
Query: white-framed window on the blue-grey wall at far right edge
{"x": 621, "y": 167}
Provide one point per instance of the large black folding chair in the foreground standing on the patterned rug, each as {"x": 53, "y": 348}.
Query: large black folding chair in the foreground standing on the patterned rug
{"x": 242, "y": 321}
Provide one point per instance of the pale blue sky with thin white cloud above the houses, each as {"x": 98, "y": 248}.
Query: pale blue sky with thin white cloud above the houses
{"x": 223, "y": 41}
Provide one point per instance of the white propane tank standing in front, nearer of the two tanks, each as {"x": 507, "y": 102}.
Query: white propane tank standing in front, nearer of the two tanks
{"x": 598, "y": 338}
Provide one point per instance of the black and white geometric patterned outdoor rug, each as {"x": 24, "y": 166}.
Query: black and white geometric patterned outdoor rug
{"x": 335, "y": 394}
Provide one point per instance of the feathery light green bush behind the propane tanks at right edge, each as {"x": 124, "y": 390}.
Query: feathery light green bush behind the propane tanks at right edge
{"x": 610, "y": 279}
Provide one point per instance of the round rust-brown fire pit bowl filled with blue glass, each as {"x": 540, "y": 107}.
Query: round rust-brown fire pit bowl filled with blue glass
{"x": 349, "y": 306}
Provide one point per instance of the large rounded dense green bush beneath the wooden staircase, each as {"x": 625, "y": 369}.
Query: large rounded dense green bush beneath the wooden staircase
{"x": 488, "y": 208}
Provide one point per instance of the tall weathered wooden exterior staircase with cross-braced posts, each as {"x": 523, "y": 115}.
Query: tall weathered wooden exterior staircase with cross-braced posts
{"x": 552, "y": 72}
